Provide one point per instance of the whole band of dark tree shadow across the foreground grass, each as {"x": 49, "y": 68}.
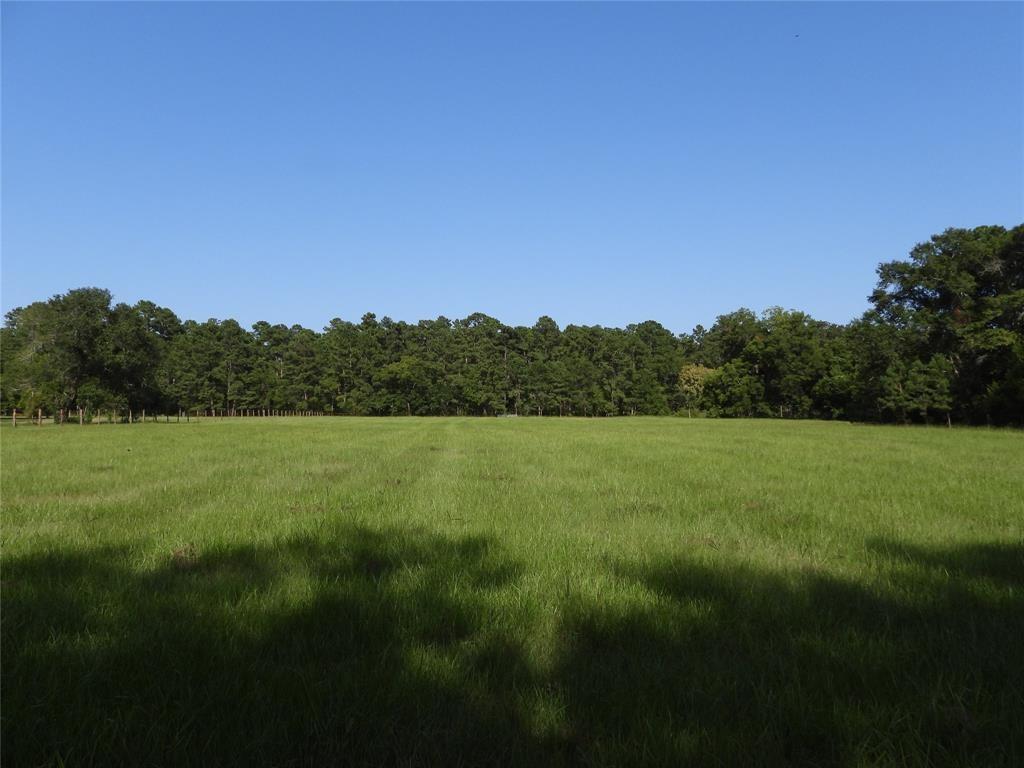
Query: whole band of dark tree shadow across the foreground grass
{"x": 398, "y": 648}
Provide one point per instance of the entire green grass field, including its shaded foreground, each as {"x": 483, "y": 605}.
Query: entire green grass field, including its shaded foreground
{"x": 558, "y": 592}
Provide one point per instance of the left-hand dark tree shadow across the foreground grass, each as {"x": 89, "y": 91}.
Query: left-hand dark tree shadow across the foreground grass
{"x": 356, "y": 647}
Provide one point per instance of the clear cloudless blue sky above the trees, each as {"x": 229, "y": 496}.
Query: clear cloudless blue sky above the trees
{"x": 602, "y": 164}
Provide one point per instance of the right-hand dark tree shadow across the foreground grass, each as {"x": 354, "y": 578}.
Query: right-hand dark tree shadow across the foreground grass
{"x": 739, "y": 666}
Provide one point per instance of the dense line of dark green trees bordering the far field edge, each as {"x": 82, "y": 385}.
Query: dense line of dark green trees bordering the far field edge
{"x": 944, "y": 340}
